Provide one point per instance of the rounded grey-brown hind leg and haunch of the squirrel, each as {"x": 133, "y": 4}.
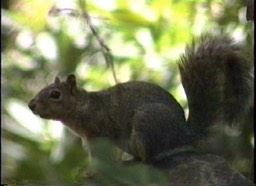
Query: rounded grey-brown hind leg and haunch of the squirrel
{"x": 156, "y": 129}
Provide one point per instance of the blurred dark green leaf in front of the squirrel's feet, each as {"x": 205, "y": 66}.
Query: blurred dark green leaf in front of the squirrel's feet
{"x": 106, "y": 170}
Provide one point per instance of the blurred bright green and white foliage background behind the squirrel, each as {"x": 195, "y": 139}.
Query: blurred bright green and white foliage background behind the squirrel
{"x": 45, "y": 38}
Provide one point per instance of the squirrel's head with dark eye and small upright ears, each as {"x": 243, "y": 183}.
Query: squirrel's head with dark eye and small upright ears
{"x": 55, "y": 101}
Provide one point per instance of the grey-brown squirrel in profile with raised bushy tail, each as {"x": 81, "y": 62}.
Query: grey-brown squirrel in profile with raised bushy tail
{"x": 145, "y": 120}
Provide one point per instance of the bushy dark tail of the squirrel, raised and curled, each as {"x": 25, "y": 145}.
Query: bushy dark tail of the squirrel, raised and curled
{"x": 217, "y": 79}
